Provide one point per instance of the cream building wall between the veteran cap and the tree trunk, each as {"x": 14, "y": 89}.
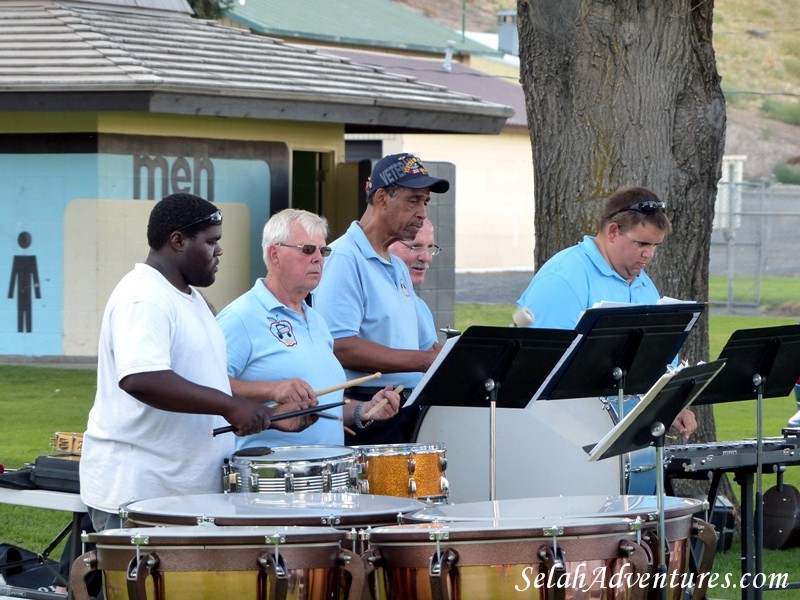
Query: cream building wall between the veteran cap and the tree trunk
{"x": 494, "y": 194}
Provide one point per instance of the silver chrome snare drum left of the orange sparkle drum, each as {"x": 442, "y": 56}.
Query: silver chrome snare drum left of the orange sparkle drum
{"x": 291, "y": 469}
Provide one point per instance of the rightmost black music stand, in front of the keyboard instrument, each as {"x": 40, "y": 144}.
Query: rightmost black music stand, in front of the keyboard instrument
{"x": 762, "y": 363}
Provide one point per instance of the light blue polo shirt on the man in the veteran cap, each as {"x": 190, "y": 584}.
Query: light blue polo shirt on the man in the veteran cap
{"x": 362, "y": 294}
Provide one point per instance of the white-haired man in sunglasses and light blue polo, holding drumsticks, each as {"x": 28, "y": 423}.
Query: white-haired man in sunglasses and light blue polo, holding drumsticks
{"x": 279, "y": 349}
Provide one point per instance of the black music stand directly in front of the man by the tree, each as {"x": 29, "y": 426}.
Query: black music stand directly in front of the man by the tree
{"x": 623, "y": 349}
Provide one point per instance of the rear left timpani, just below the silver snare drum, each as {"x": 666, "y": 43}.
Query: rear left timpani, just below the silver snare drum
{"x": 341, "y": 510}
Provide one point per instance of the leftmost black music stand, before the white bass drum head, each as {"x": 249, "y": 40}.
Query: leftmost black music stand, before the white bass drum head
{"x": 485, "y": 359}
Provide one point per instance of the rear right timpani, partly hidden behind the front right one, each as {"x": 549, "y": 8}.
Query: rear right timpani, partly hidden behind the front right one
{"x": 682, "y": 529}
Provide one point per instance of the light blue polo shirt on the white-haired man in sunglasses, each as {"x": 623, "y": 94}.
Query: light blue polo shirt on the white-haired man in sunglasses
{"x": 268, "y": 341}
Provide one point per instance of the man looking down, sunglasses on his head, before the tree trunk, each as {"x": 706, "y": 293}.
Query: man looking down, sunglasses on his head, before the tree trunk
{"x": 607, "y": 267}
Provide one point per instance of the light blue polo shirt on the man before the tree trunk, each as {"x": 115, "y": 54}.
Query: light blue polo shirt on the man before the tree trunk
{"x": 575, "y": 279}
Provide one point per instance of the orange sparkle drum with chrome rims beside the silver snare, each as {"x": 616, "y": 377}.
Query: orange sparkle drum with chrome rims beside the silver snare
{"x": 407, "y": 470}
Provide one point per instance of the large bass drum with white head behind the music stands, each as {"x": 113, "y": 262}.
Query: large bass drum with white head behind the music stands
{"x": 538, "y": 450}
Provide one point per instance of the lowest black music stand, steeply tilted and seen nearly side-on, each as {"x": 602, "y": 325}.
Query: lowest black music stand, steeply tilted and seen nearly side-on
{"x": 647, "y": 424}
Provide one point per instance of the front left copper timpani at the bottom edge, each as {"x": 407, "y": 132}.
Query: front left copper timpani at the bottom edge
{"x": 190, "y": 563}
